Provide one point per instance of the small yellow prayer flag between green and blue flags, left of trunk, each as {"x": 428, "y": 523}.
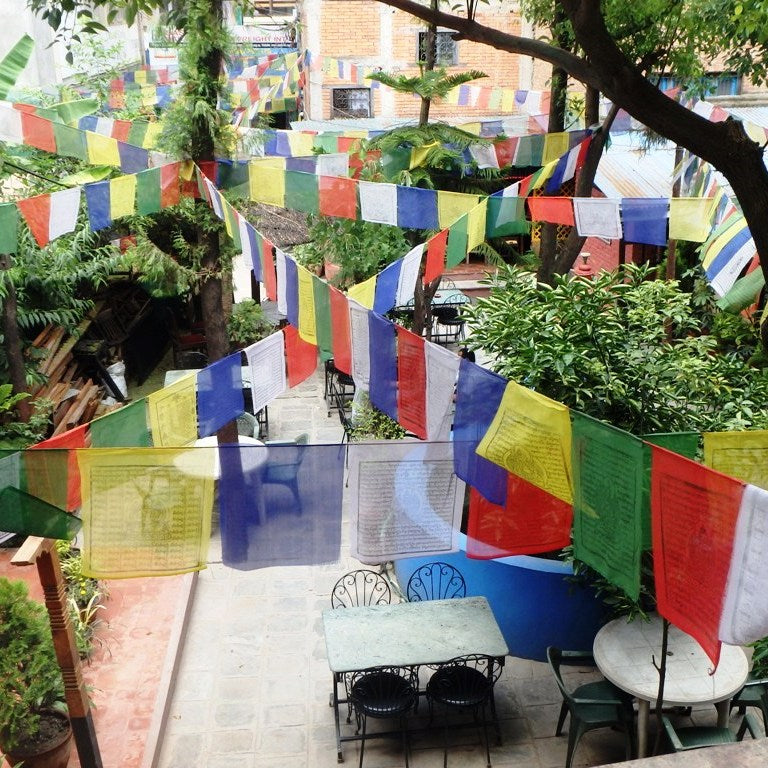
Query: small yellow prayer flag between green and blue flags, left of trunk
{"x": 172, "y": 413}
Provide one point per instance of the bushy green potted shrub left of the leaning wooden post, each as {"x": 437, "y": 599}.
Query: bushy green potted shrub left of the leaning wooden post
{"x": 34, "y": 726}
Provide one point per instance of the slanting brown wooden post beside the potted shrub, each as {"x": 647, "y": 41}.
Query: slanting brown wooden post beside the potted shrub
{"x": 43, "y": 554}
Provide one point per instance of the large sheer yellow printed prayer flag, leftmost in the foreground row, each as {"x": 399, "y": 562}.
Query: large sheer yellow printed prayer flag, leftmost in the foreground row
{"x": 145, "y": 512}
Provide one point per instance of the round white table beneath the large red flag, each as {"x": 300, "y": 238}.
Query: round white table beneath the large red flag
{"x": 624, "y": 653}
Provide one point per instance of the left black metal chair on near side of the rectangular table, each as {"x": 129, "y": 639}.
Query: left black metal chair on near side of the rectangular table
{"x": 383, "y": 693}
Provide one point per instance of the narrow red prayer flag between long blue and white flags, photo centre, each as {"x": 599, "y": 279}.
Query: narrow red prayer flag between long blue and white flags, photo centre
{"x": 411, "y": 382}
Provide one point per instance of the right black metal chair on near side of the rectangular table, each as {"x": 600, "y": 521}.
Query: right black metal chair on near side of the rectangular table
{"x": 466, "y": 683}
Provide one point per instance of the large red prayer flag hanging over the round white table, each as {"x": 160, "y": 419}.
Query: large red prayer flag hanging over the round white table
{"x": 693, "y": 512}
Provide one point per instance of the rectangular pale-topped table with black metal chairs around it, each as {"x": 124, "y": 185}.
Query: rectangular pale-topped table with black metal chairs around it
{"x": 407, "y": 635}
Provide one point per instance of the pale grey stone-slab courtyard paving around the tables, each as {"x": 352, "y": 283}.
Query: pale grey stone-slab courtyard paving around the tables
{"x": 253, "y": 683}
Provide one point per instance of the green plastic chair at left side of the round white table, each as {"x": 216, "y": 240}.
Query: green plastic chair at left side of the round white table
{"x": 592, "y": 705}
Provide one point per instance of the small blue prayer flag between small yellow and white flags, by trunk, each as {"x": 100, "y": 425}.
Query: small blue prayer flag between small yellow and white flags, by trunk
{"x": 219, "y": 394}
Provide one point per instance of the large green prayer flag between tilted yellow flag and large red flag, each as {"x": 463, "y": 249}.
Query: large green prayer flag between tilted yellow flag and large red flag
{"x": 608, "y": 481}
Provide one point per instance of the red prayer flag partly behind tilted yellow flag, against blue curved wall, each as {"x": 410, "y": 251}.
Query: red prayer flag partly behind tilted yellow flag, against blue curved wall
{"x": 531, "y": 521}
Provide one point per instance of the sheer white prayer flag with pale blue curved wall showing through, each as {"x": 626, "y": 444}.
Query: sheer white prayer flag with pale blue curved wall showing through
{"x": 405, "y": 500}
